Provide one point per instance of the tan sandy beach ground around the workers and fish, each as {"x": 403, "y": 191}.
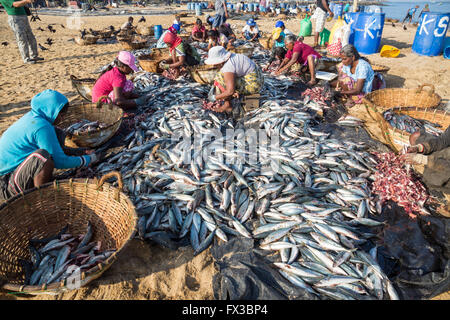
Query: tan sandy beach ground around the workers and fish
{"x": 148, "y": 271}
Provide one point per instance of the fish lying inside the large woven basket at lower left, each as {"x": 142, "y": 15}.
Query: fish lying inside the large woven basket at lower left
{"x": 56, "y": 258}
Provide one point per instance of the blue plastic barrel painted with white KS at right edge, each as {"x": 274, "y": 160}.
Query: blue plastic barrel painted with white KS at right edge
{"x": 430, "y": 34}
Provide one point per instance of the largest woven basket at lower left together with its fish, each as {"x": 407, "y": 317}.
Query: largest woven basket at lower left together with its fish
{"x": 64, "y": 234}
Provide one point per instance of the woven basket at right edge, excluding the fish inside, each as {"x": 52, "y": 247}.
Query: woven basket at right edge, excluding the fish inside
{"x": 397, "y": 139}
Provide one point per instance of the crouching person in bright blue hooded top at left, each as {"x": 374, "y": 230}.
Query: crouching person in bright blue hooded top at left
{"x": 31, "y": 149}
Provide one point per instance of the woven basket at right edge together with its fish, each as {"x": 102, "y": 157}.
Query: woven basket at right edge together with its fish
{"x": 400, "y": 123}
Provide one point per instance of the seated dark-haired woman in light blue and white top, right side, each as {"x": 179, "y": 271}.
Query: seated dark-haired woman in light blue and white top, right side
{"x": 356, "y": 75}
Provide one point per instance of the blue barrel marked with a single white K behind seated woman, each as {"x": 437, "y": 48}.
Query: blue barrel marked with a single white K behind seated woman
{"x": 368, "y": 31}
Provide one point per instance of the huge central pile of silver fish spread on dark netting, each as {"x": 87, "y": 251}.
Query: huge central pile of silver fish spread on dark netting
{"x": 306, "y": 199}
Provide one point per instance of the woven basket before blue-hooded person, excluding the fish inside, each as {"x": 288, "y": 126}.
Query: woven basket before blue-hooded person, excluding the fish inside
{"x": 107, "y": 113}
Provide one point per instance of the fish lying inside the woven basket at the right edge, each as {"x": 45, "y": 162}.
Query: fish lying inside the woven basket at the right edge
{"x": 406, "y": 123}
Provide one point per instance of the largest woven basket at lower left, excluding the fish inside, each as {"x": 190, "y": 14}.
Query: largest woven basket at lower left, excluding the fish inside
{"x": 43, "y": 212}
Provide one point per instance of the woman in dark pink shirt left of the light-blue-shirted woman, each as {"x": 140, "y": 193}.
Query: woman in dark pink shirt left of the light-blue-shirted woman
{"x": 298, "y": 57}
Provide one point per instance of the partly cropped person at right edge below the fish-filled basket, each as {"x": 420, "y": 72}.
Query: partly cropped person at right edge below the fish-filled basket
{"x": 434, "y": 153}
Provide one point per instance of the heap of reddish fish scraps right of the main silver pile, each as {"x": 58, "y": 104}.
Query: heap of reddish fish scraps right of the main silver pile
{"x": 393, "y": 181}
